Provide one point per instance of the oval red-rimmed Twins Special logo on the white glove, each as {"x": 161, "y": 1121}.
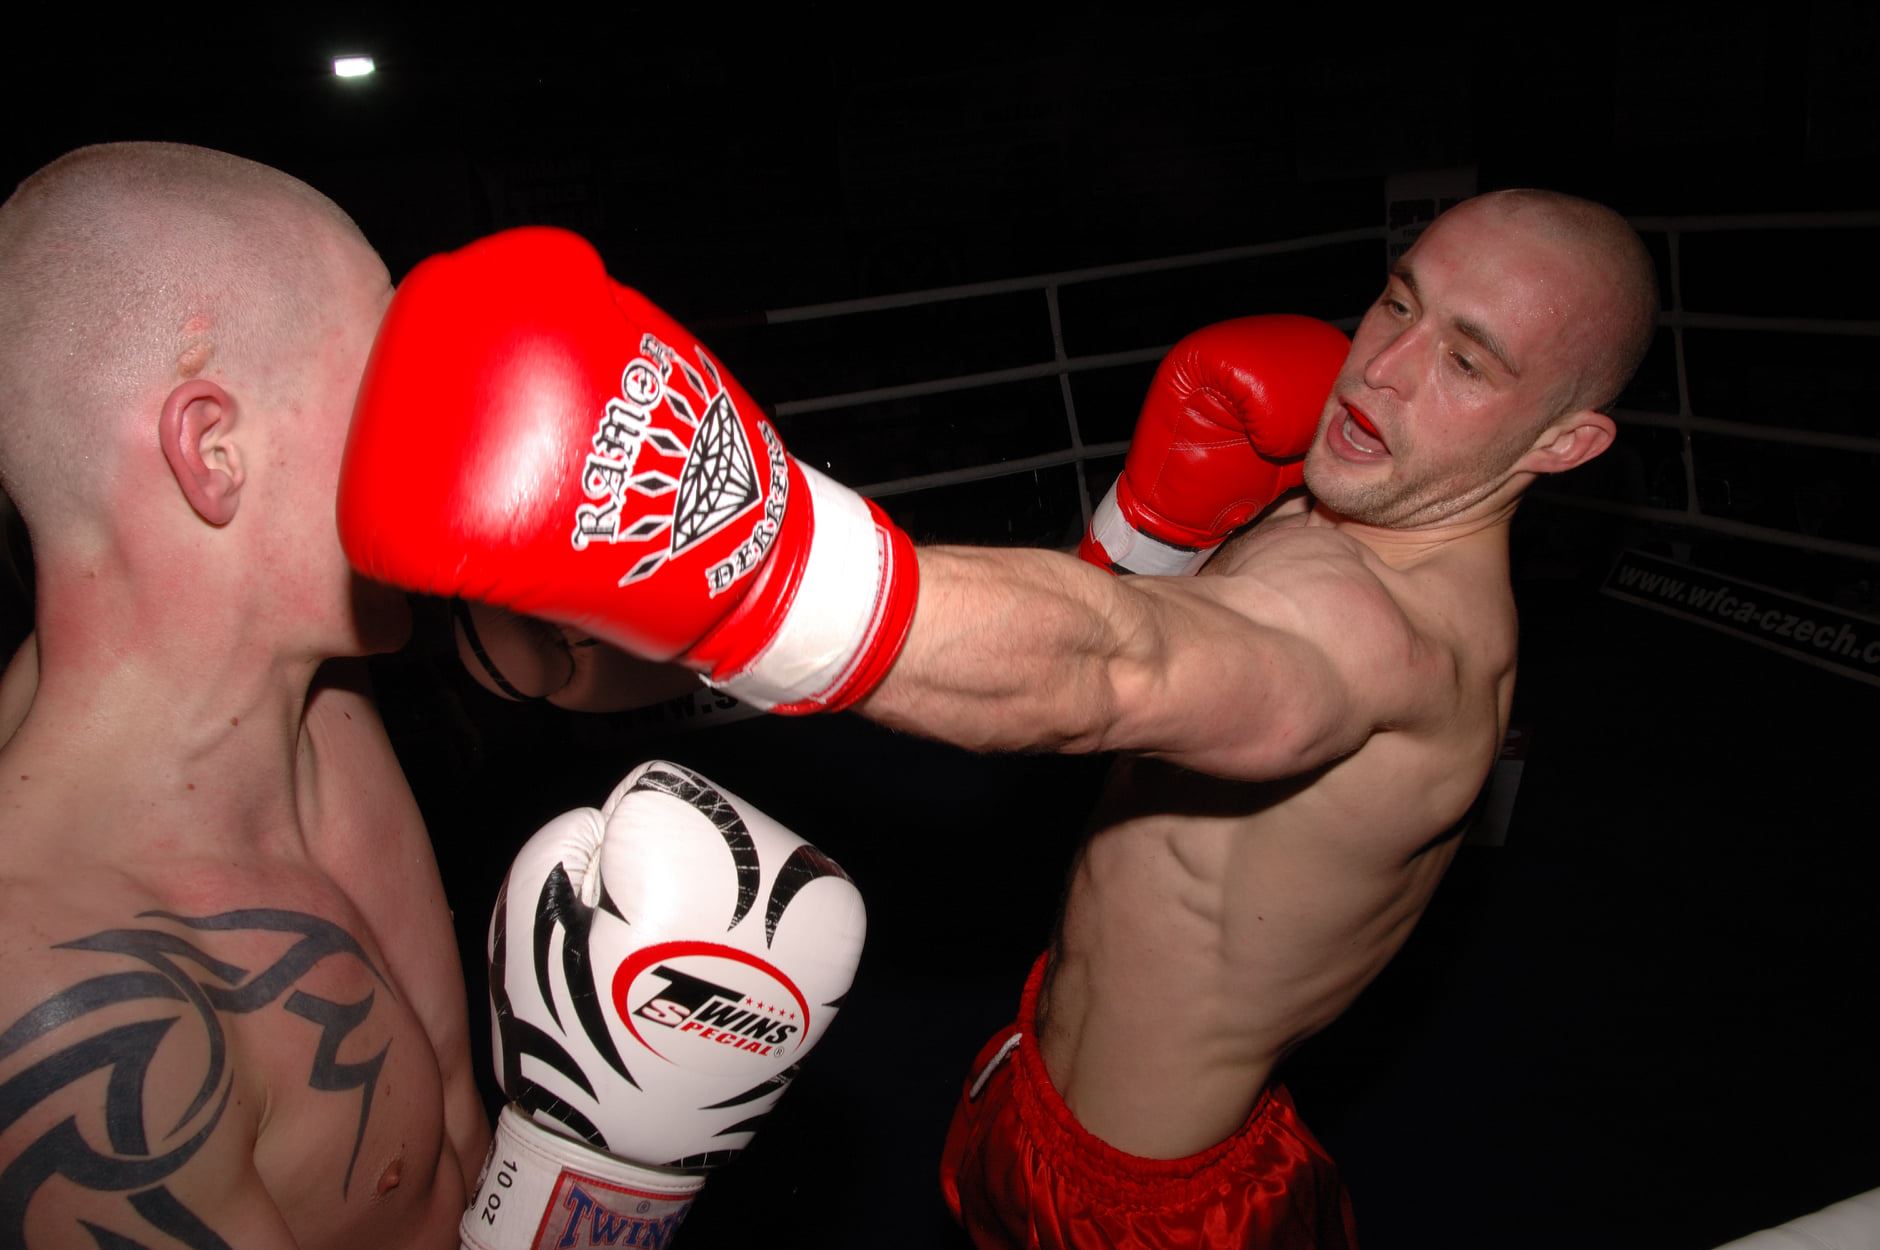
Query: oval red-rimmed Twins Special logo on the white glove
{"x": 719, "y": 1007}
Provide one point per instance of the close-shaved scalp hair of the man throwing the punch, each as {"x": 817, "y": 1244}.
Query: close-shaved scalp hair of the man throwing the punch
{"x": 1605, "y": 245}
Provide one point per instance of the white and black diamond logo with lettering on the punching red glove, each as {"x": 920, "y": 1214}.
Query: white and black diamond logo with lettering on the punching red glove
{"x": 717, "y": 478}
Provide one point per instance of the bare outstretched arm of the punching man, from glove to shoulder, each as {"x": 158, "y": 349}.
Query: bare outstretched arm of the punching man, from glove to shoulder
{"x": 1242, "y": 676}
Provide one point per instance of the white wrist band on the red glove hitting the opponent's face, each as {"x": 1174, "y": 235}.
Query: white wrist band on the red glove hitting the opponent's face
{"x": 836, "y": 610}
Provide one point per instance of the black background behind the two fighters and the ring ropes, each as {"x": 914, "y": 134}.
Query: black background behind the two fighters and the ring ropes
{"x": 1644, "y": 1022}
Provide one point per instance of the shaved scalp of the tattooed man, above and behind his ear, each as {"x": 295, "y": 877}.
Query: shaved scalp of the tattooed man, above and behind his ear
{"x": 127, "y": 270}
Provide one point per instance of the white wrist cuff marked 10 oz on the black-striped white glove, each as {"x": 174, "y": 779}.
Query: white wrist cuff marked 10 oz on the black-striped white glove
{"x": 540, "y": 1191}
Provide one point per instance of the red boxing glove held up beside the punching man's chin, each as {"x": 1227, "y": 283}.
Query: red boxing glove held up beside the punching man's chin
{"x": 1229, "y": 420}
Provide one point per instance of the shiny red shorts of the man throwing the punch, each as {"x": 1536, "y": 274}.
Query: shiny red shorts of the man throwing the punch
{"x": 1022, "y": 1174}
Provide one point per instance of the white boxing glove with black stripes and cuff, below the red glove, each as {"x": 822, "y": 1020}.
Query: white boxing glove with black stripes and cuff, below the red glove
{"x": 657, "y": 971}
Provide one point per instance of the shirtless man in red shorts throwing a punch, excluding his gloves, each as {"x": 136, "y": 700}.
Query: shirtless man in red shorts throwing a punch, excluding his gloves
{"x": 1304, "y": 728}
